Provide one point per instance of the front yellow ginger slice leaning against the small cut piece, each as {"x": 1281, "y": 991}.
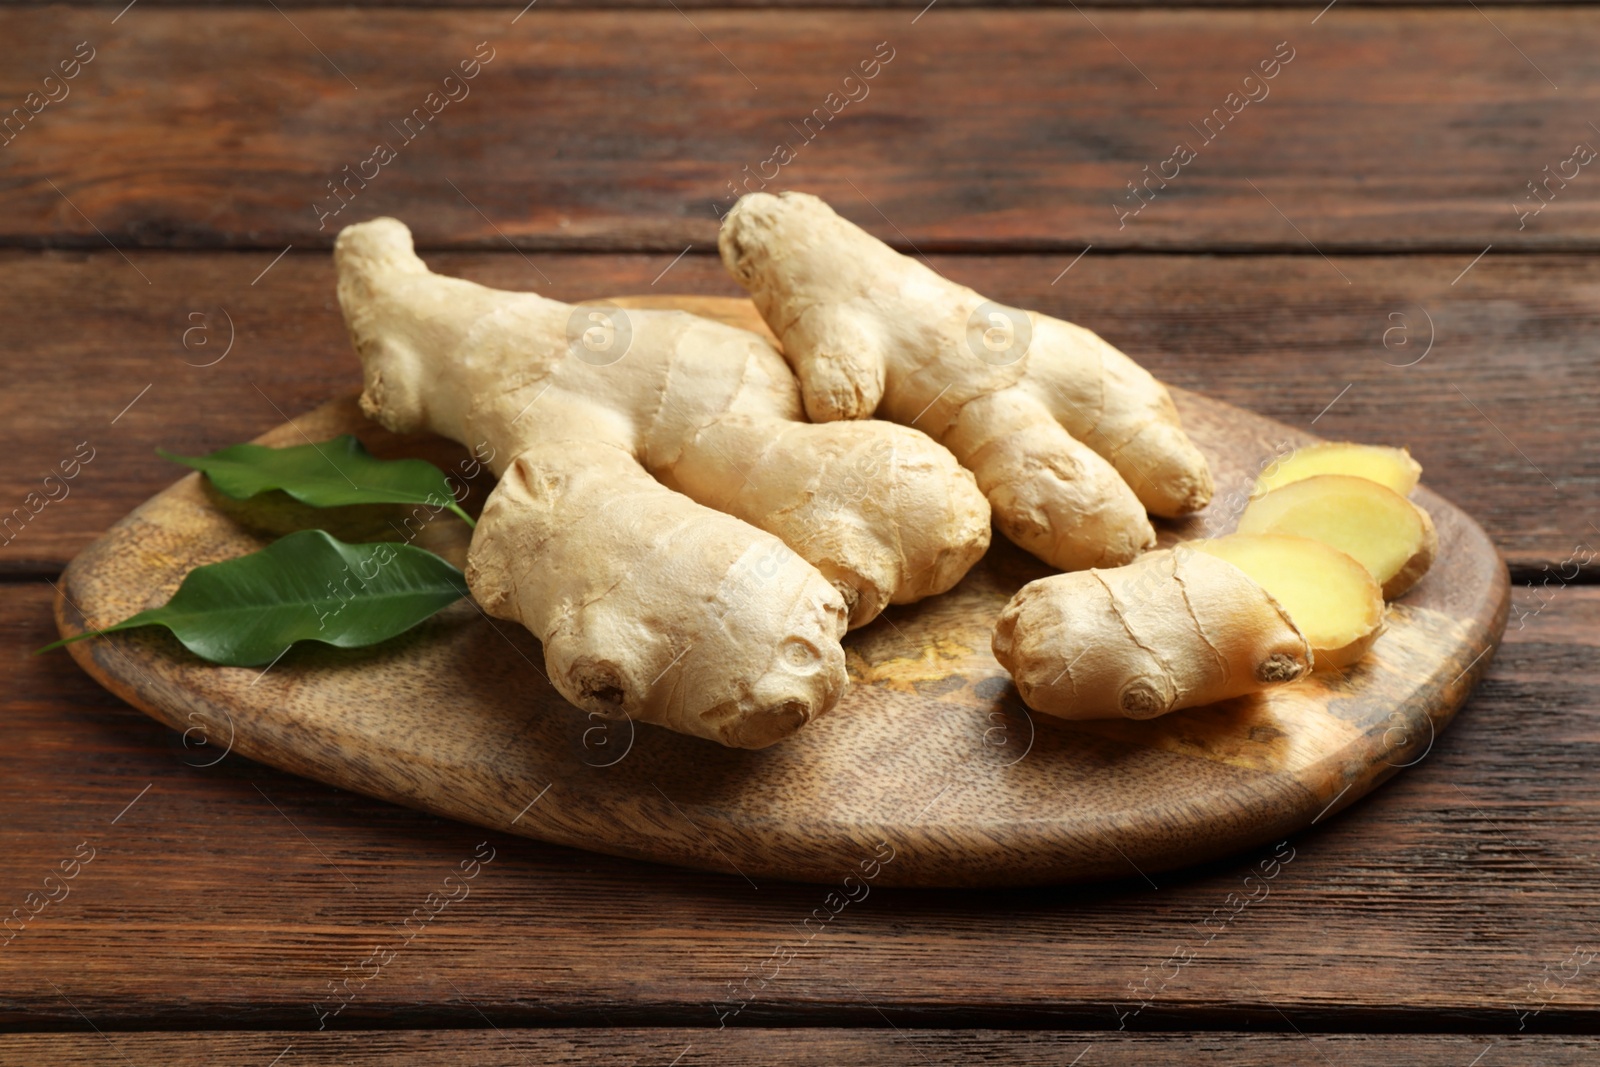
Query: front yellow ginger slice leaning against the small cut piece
{"x": 1332, "y": 599}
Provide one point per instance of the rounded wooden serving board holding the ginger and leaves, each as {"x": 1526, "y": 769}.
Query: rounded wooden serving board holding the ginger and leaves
{"x": 930, "y": 762}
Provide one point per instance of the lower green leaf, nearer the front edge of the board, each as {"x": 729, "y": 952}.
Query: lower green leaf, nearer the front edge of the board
{"x": 303, "y": 588}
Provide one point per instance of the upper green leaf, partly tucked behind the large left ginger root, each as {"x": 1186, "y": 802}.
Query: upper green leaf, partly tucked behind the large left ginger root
{"x": 327, "y": 474}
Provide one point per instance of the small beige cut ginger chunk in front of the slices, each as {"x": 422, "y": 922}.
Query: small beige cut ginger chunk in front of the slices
{"x": 1174, "y": 629}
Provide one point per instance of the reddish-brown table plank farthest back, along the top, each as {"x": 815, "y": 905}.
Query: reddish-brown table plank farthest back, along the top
{"x": 1388, "y": 129}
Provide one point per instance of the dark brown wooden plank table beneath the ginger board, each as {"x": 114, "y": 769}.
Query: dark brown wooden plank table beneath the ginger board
{"x": 1359, "y": 250}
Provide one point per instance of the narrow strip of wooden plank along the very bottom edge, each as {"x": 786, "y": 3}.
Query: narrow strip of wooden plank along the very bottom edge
{"x": 798, "y": 1049}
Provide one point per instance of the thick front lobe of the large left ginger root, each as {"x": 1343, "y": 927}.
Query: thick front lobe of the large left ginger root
{"x": 716, "y": 629}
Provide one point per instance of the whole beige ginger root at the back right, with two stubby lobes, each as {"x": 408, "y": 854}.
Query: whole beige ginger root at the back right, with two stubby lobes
{"x": 1071, "y": 441}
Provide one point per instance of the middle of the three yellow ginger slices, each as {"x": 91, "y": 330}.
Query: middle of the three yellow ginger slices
{"x": 1386, "y": 533}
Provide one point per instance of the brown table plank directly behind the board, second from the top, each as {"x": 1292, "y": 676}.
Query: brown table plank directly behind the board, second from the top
{"x": 1495, "y": 409}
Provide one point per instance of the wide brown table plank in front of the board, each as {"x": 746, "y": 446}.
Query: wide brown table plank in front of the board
{"x": 231, "y": 897}
